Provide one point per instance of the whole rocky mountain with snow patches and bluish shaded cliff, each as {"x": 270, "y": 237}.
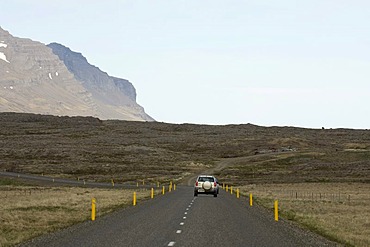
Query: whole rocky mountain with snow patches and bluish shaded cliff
{"x": 54, "y": 80}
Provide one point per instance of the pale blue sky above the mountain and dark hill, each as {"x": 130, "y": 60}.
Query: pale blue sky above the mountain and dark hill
{"x": 287, "y": 63}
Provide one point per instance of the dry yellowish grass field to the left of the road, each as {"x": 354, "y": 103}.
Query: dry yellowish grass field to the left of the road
{"x": 29, "y": 211}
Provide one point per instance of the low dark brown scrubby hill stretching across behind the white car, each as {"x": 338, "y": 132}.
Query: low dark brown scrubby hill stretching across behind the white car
{"x": 99, "y": 150}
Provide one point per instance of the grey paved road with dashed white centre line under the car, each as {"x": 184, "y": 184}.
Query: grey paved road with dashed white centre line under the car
{"x": 179, "y": 219}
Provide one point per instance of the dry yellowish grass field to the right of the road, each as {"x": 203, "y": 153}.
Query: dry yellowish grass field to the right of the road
{"x": 338, "y": 211}
